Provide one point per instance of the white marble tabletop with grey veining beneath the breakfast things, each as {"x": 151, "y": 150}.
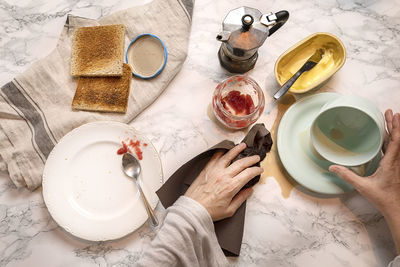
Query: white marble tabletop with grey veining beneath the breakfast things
{"x": 302, "y": 230}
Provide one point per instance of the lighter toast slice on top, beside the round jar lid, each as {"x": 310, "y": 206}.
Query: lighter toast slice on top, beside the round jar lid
{"x": 98, "y": 51}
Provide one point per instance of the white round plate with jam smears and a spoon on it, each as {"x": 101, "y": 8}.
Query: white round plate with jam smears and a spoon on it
{"x": 85, "y": 189}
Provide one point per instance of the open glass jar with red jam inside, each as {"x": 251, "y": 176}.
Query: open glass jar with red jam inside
{"x": 238, "y": 102}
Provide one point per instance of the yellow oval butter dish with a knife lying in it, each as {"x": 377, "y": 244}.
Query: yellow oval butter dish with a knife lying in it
{"x": 292, "y": 60}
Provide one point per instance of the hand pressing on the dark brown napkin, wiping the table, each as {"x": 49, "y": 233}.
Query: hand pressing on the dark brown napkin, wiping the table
{"x": 217, "y": 186}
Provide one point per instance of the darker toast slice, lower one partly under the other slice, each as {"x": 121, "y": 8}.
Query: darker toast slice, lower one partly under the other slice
{"x": 107, "y": 94}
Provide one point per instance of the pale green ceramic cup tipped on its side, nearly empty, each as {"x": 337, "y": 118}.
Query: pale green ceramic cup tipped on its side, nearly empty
{"x": 349, "y": 131}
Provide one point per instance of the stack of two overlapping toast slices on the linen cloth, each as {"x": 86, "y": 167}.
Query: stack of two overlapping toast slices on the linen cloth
{"x": 97, "y": 60}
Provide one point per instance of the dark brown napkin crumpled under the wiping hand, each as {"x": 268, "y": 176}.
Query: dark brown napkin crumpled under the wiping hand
{"x": 229, "y": 231}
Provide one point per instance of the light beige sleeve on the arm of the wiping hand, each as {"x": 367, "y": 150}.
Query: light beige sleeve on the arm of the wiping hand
{"x": 186, "y": 238}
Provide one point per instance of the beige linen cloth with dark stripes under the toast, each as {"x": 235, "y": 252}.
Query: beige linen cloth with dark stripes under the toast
{"x": 35, "y": 107}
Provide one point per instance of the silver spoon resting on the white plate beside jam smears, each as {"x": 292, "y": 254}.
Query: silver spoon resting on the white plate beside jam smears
{"x": 132, "y": 169}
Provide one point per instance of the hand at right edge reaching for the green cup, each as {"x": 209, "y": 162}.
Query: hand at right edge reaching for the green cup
{"x": 382, "y": 188}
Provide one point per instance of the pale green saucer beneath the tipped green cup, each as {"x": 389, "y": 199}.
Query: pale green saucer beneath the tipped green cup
{"x": 296, "y": 152}
